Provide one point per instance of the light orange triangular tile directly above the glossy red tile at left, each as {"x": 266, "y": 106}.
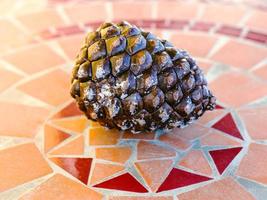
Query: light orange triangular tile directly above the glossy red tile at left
{"x": 73, "y": 147}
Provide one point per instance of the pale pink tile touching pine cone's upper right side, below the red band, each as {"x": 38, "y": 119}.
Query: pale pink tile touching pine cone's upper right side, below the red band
{"x": 195, "y": 44}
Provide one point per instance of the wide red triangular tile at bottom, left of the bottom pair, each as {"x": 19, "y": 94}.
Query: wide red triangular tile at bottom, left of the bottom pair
{"x": 125, "y": 182}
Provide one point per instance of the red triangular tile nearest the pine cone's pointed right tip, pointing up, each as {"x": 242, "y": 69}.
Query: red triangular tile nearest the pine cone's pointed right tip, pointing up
{"x": 228, "y": 126}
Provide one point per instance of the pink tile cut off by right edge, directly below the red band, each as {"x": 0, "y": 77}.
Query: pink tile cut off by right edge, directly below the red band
{"x": 250, "y": 54}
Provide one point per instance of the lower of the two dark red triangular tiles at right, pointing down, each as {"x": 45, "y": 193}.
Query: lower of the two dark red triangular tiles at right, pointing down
{"x": 223, "y": 157}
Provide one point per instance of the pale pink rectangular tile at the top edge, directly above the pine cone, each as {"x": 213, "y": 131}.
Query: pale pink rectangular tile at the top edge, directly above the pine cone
{"x": 144, "y": 10}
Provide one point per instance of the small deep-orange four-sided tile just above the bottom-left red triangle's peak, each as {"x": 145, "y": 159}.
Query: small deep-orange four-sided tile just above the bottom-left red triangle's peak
{"x": 115, "y": 154}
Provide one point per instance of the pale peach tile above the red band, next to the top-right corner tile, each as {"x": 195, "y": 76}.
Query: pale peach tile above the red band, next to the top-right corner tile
{"x": 225, "y": 14}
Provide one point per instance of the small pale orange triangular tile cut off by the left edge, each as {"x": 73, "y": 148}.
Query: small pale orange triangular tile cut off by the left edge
{"x": 8, "y": 78}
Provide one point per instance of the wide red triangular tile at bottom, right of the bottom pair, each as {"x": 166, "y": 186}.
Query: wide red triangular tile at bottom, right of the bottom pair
{"x": 180, "y": 178}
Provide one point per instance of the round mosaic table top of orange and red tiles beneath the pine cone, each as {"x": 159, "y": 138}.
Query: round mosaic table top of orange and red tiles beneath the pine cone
{"x": 49, "y": 150}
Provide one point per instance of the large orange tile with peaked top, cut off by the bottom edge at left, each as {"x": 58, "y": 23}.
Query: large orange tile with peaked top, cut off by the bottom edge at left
{"x": 60, "y": 187}
